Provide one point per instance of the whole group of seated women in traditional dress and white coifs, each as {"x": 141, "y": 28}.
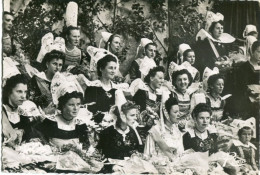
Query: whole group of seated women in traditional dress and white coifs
{"x": 150, "y": 114}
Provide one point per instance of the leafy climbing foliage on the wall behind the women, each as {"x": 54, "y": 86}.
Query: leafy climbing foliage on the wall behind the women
{"x": 157, "y": 20}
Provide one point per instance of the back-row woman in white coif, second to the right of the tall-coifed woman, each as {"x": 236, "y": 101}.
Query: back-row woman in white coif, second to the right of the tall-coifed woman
{"x": 141, "y": 66}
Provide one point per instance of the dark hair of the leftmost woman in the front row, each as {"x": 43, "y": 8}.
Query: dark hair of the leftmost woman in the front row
{"x": 11, "y": 84}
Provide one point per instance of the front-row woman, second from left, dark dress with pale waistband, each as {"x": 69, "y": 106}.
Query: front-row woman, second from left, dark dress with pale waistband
{"x": 64, "y": 128}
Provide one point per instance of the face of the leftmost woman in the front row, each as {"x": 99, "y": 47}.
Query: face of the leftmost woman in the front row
{"x": 18, "y": 94}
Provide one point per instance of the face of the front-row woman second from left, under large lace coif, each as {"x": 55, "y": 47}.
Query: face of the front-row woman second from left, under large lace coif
{"x": 71, "y": 108}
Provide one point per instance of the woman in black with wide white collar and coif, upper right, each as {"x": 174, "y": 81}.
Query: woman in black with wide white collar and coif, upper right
{"x": 213, "y": 47}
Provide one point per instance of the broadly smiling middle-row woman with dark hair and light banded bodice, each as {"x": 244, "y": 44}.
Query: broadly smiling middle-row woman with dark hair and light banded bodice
{"x": 181, "y": 80}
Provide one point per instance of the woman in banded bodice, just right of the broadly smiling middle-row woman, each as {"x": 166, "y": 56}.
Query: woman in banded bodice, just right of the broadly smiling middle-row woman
{"x": 214, "y": 100}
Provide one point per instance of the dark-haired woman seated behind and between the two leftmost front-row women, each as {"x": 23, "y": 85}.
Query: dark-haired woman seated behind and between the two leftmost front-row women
{"x": 39, "y": 86}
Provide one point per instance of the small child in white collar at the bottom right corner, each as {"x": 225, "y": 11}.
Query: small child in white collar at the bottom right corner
{"x": 244, "y": 148}
